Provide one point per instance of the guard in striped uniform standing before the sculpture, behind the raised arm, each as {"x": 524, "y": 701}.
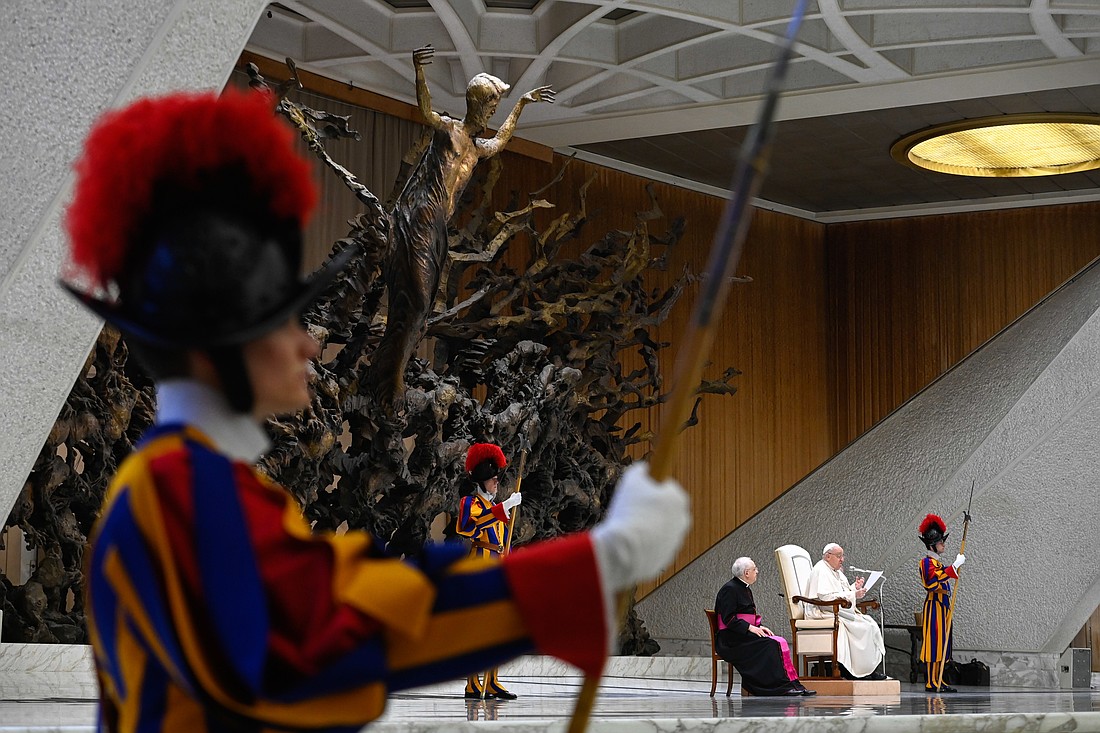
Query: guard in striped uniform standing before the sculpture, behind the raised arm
{"x": 487, "y": 524}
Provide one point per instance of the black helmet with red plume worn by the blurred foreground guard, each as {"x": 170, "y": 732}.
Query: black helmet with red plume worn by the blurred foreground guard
{"x": 188, "y": 220}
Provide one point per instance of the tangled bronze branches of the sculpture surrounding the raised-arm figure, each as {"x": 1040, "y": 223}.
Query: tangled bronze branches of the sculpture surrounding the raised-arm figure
{"x": 542, "y": 347}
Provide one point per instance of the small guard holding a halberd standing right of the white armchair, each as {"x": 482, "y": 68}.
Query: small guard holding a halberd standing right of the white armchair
{"x": 937, "y": 648}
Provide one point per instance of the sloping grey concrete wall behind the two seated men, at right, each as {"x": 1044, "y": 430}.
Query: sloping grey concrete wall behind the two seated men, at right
{"x": 1020, "y": 420}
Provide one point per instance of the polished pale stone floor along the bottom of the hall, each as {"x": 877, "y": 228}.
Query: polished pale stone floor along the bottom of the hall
{"x": 663, "y": 705}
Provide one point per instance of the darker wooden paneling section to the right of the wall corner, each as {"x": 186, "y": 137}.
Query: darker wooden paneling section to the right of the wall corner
{"x": 912, "y": 298}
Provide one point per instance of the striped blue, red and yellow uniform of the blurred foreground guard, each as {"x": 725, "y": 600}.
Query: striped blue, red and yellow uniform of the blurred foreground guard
{"x": 213, "y": 607}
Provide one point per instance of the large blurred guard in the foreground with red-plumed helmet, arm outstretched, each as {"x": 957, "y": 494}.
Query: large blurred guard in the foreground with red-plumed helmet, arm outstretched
{"x": 212, "y": 606}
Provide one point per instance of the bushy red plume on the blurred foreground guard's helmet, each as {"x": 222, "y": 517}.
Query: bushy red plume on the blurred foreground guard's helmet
{"x": 178, "y": 139}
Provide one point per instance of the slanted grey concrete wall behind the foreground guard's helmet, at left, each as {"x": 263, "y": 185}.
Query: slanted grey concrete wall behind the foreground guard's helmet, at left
{"x": 63, "y": 64}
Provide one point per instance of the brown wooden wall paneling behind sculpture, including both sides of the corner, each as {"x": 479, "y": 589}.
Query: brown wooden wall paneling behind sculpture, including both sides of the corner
{"x": 839, "y": 327}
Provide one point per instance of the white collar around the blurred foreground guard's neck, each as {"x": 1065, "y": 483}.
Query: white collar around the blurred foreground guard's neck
{"x": 194, "y": 403}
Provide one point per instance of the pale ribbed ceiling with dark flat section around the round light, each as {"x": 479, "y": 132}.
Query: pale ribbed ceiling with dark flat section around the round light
{"x": 667, "y": 89}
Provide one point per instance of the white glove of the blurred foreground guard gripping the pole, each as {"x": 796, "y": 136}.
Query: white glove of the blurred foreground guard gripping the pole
{"x": 643, "y": 530}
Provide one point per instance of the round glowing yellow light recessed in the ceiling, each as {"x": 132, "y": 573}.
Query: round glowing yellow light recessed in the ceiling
{"x": 1006, "y": 146}
